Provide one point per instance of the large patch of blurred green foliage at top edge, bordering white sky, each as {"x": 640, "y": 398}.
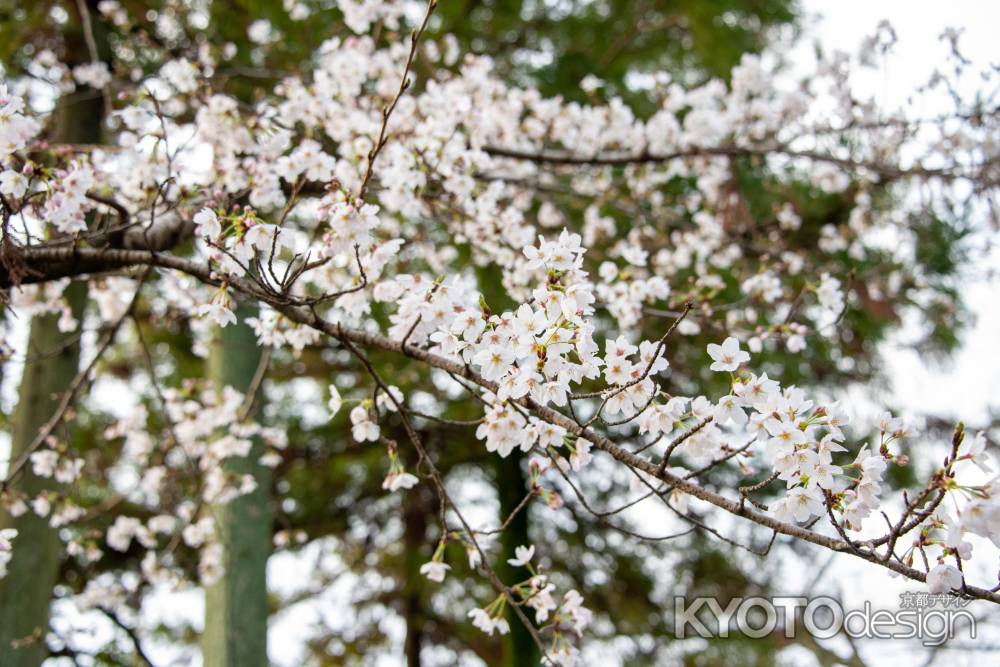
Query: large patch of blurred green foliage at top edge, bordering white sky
{"x": 556, "y": 44}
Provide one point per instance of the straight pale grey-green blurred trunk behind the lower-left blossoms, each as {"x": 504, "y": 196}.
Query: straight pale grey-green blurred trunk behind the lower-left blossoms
{"x": 236, "y": 607}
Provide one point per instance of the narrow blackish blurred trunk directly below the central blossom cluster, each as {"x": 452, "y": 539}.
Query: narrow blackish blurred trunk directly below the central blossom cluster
{"x": 520, "y": 648}
